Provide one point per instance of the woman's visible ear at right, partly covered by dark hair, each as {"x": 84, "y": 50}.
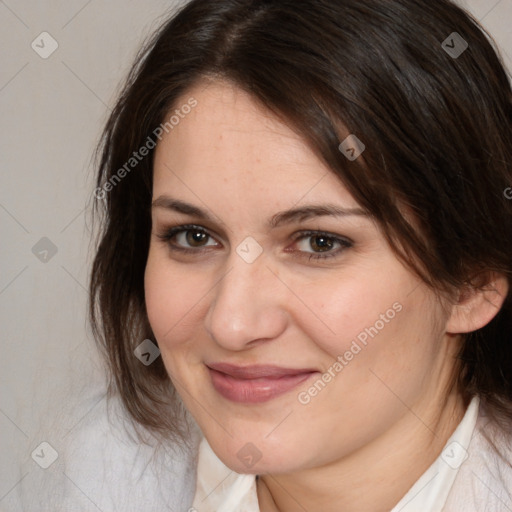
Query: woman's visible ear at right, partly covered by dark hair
{"x": 478, "y": 304}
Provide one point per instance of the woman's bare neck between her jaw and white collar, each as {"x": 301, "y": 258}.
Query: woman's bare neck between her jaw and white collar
{"x": 377, "y": 476}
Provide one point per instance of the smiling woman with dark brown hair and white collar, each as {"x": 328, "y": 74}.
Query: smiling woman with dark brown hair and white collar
{"x": 307, "y": 219}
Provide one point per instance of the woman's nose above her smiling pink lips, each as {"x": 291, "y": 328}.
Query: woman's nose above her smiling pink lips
{"x": 247, "y": 306}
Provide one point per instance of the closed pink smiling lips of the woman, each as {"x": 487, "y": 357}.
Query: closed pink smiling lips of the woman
{"x": 255, "y": 384}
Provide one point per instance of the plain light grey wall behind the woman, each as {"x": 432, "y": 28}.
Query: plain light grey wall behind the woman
{"x": 52, "y": 112}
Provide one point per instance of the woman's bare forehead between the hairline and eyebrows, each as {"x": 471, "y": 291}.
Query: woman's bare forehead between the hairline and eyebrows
{"x": 230, "y": 145}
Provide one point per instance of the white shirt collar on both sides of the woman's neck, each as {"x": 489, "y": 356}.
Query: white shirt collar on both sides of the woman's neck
{"x": 219, "y": 489}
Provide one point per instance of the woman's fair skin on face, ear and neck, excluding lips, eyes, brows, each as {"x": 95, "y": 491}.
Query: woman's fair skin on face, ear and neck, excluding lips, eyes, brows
{"x": 373, "y": 430}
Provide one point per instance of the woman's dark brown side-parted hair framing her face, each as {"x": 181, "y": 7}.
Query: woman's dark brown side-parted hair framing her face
{"x": 438, "y": 135}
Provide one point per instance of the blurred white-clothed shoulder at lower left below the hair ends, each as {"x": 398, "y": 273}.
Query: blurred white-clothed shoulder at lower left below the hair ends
{"x": 102, "y": 465}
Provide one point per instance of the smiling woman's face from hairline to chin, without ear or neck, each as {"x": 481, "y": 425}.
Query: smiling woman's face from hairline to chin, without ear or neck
{"x": 292, "y": 332}
